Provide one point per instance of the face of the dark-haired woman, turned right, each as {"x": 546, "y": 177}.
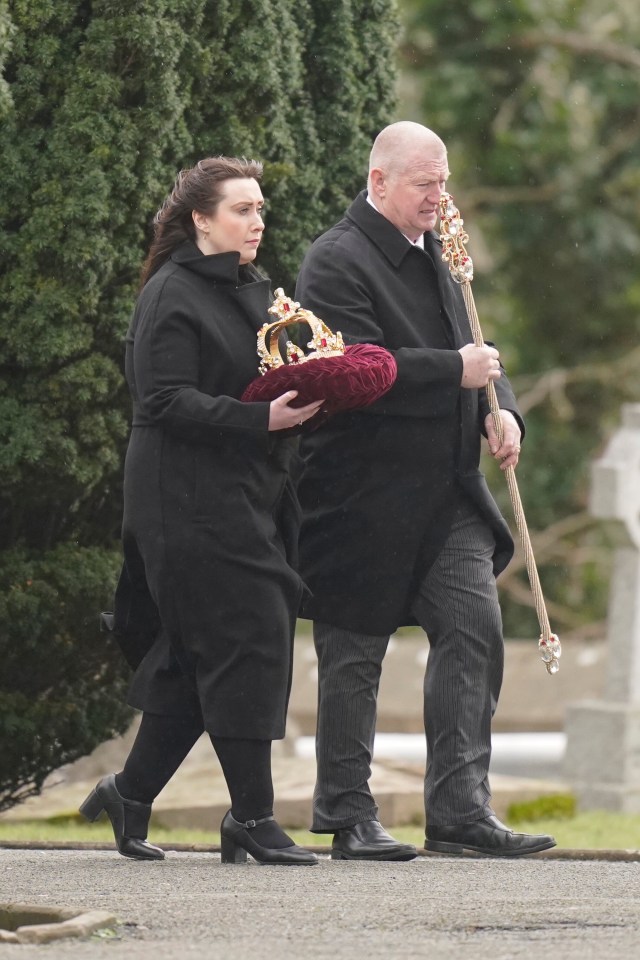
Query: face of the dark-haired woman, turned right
{"x": 236, "y": 223}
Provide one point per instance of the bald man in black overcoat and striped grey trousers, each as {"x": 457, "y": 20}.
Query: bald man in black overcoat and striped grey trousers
{"x": 399, "y": 525}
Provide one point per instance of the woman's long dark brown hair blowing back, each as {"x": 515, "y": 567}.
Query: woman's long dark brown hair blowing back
{"x": 198, "y": 188}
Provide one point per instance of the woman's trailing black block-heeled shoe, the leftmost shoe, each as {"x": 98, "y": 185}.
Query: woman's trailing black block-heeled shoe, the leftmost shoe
{"x": 129, "y": 819}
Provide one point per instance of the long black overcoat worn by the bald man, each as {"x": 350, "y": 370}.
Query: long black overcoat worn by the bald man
{"x": 381, "y": 484}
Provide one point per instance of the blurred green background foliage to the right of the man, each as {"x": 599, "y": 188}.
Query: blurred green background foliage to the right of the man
{"x": 537, "y": 101}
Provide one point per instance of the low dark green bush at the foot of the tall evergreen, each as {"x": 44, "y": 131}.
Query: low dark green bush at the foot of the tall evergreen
{"x": 62, "y": 685}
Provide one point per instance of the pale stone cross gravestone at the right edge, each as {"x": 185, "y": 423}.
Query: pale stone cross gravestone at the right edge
{"x": 602, "y": 761}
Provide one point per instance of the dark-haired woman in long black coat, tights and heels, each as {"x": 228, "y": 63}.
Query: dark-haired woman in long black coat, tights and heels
{"x": 207, "y": 602}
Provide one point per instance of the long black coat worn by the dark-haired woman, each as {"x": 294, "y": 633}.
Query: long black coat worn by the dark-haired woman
{"x": 211, "y": 517}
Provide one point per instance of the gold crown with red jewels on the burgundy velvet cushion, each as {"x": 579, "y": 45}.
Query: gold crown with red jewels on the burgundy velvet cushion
{"x": 323, "y": 342}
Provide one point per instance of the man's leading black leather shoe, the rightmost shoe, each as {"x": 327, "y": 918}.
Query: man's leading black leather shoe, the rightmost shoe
{"x": 488, "y": 836}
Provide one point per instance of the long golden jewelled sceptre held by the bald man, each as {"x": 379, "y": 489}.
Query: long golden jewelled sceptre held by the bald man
{"x": 454, "y": 237}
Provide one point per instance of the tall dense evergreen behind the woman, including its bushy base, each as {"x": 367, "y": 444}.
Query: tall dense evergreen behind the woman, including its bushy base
{"x": 100, "y": 104}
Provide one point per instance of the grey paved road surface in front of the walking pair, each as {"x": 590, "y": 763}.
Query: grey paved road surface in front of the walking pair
{"x": 441, "y": 908}
